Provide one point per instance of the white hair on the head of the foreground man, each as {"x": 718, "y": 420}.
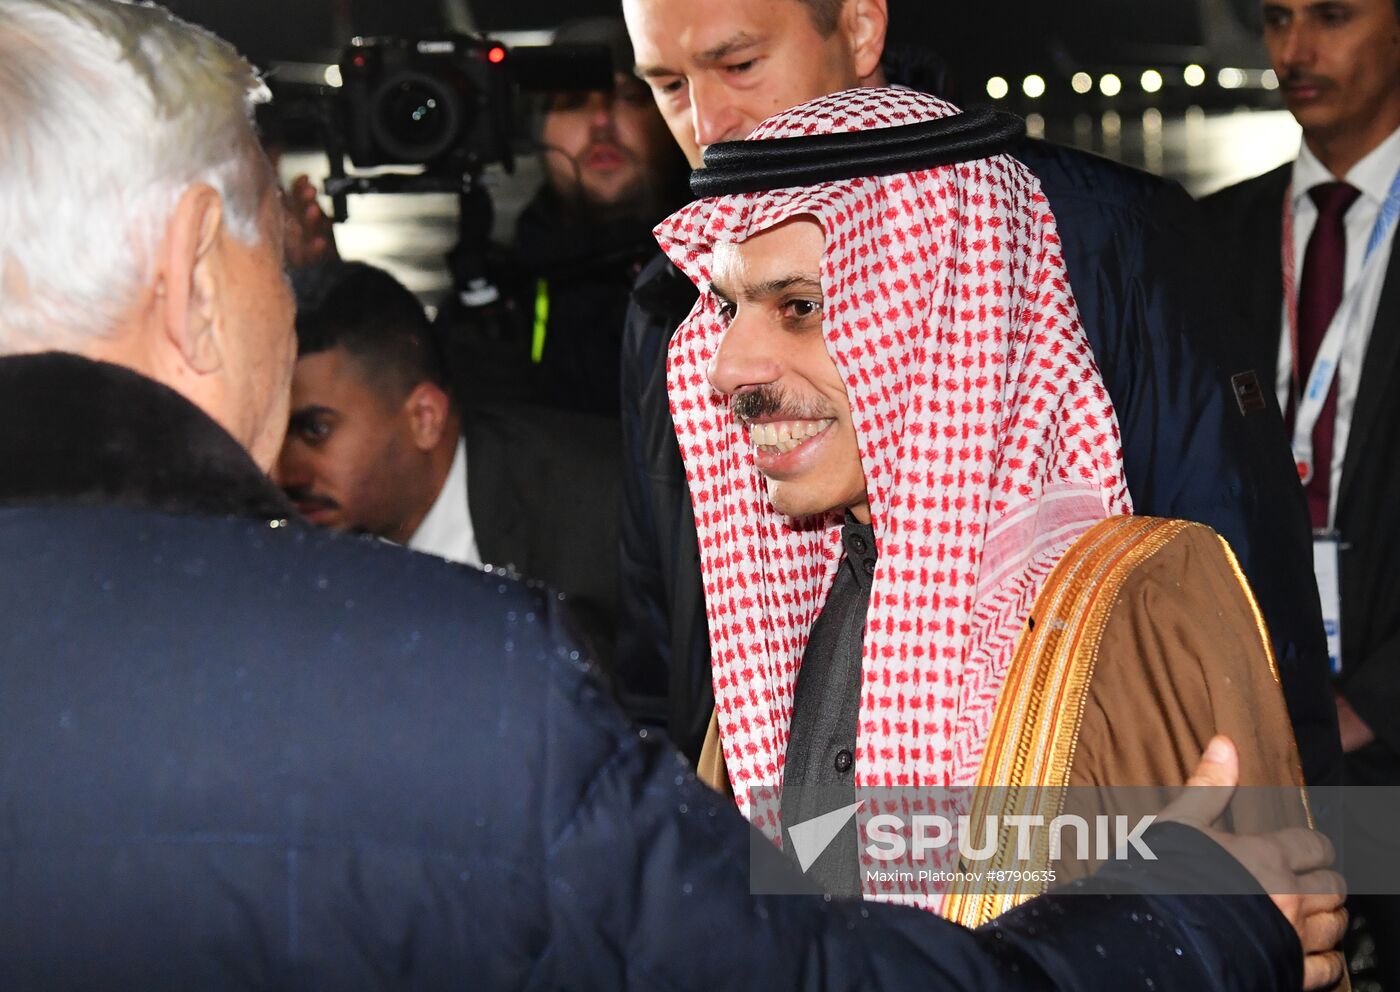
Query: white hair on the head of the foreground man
{"x": 108, "y": 113}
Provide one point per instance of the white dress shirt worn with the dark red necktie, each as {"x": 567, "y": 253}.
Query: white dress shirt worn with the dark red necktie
{"x": 1373, "y": 176}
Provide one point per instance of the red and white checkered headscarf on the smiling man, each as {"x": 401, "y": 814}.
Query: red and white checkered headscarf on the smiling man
{"x": 986, "y": 436}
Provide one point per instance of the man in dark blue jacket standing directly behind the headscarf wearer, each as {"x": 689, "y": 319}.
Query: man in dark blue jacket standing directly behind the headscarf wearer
{"x": 1200, "y": 440}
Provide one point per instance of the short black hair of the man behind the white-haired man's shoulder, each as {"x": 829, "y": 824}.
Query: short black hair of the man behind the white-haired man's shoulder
{"x": 377, "y": 321}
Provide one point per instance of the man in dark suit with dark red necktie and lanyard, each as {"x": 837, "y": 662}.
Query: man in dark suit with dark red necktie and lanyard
{"x": 1311, "y": 247}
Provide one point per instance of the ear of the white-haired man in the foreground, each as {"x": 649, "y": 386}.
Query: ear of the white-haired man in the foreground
{"x": 188, "y": 279}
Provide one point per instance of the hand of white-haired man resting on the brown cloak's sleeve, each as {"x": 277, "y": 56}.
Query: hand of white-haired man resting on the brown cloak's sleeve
{"x": 1291, "y": 865}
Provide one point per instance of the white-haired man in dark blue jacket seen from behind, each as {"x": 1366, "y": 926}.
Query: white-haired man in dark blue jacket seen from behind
{"x": 240, "y": 753}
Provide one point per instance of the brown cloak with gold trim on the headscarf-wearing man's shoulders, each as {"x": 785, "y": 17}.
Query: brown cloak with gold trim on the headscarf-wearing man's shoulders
{"x": 1144, "y": 644}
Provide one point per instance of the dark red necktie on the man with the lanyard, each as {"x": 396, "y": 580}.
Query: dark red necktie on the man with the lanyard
{"x": 1319, "y": 295}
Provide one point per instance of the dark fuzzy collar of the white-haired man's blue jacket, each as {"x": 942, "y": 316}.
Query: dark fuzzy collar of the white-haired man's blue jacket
{"x": 83, "y": 433}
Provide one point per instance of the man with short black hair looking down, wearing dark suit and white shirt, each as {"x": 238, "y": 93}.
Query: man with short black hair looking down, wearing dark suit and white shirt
{"x": 379, "y": 446}
